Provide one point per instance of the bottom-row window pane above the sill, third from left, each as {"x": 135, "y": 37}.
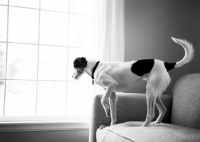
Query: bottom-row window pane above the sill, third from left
{"x": 51, "y": 98}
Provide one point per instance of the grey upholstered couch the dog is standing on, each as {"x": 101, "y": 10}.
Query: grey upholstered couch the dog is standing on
{"x": 180, "y": 124}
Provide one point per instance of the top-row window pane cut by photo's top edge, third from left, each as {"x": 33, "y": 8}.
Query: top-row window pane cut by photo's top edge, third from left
{"x": 56, "y": 5}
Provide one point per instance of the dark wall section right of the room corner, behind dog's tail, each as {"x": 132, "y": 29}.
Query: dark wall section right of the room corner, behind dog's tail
{"x": 189, "y": 28}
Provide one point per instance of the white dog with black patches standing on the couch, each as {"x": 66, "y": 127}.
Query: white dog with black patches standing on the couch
{"x": 121, "y": 76}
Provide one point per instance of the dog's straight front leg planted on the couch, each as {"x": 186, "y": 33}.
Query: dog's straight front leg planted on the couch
{"x": 113, "y": 108}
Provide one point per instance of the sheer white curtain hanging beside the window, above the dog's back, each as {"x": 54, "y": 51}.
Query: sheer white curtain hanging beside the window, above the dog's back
{"x": 109, "y": 30}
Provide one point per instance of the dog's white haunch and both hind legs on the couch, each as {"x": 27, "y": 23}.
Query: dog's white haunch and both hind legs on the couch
{"x": 157, "y": 82}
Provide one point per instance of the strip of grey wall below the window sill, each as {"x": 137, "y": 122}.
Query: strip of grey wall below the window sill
{"x": 46, "y": 136}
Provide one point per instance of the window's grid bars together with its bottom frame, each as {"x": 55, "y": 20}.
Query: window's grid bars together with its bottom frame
{"x": 38, "y": 119}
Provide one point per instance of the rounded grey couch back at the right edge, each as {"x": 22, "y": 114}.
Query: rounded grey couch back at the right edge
{"x": 186, "y": 101}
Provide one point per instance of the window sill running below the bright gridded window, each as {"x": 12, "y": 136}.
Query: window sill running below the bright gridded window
{"x": 24, "y": 126}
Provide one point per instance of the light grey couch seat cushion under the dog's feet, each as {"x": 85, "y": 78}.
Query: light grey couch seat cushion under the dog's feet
{"x": 132, "y": 132}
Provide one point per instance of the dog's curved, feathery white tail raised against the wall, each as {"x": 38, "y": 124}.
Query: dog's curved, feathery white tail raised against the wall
{"x": 189, "y": 52}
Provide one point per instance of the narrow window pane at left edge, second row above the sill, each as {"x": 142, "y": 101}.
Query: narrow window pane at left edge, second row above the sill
{"x": 2, "y": 60}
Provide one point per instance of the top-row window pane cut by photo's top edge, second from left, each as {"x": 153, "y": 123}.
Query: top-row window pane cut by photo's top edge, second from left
{"x": 25, "y": 3}
